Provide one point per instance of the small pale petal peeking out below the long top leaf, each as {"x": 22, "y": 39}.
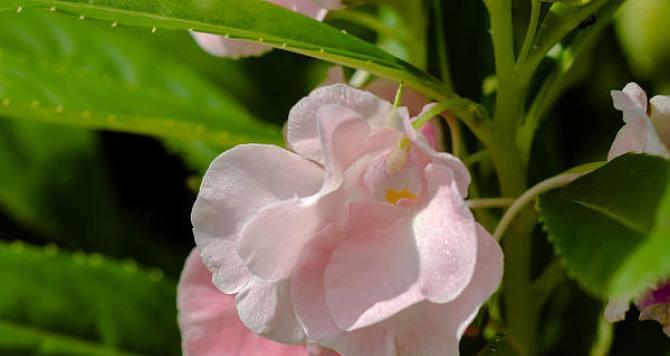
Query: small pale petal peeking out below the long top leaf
{"x": 230, "y": 48}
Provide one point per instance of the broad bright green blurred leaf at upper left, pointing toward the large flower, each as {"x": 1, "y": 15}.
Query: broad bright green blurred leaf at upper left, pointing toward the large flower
{"x": 56, "y": 69}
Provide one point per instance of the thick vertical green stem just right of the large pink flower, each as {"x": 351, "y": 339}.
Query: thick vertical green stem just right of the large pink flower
{"x": 520, "y": 312}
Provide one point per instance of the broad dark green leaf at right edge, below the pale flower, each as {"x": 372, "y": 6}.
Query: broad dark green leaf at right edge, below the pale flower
{"x": 611, "y": 226}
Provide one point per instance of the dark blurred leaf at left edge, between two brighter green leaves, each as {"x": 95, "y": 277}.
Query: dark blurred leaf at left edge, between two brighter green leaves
{"x": 54, "y": 182}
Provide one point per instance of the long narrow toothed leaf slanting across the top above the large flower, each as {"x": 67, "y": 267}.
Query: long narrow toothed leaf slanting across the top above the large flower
{"x": 254, "y": 20}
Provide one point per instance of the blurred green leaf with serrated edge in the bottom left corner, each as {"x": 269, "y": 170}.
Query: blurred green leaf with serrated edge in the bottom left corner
{"x": 74, "y": 304}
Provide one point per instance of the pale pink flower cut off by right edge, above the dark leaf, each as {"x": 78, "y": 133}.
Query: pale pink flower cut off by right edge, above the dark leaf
{"x": 647, "y": 128}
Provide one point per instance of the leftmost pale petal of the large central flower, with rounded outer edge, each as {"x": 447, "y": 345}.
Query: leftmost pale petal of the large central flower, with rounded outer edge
{"x": 237, "y": 184}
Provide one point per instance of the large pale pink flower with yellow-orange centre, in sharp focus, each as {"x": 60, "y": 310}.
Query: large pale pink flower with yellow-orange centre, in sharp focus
{"x": 360, "y": 241}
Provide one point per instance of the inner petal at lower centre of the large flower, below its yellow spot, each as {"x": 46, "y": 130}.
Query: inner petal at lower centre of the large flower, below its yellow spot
{"x": 374, "y": 273}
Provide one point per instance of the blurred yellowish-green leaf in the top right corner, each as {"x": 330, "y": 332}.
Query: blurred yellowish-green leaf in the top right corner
{"x": 644, "y": 31}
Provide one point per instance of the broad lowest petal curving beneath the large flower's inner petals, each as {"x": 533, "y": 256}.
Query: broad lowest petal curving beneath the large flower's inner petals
{"x": 422, "y": 329}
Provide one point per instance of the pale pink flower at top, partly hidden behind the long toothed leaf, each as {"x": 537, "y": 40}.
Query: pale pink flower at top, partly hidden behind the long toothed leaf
{"x": 222, "y": 47}
